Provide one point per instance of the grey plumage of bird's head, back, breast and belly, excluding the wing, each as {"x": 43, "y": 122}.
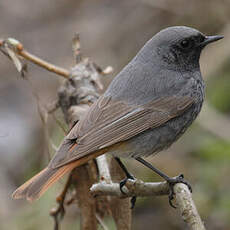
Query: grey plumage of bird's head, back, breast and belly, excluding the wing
{"x": 160, "y": 69}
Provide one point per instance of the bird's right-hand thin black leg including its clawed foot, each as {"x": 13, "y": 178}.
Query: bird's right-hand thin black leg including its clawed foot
{"x": 171, "y": 181}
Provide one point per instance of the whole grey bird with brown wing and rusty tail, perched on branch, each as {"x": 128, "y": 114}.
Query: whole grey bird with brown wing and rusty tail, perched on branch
{"x": 145, "y": 109}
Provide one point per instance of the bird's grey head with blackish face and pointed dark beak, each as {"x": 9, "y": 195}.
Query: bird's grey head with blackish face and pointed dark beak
{"x": 180, "y": 47}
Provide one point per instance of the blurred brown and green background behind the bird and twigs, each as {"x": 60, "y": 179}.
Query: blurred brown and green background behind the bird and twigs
{"x": 111, "y": 33}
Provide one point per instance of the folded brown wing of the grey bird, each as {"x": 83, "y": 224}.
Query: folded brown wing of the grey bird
{"x": 109, "y": 122}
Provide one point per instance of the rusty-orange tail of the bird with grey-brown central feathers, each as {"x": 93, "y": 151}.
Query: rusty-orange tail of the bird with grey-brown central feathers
{"x": 37, "y": 185}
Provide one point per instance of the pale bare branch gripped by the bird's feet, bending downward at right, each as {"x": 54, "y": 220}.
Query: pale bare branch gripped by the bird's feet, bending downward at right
{"x": 184, "y": 201}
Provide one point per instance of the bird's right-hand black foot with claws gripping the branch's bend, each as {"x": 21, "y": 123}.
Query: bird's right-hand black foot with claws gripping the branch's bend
{"x": 172, "y": 181}
